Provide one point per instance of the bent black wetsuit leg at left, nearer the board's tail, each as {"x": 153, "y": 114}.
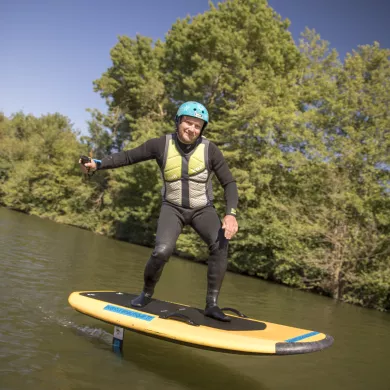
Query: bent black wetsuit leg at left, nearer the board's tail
{"x": 170, "y": 225}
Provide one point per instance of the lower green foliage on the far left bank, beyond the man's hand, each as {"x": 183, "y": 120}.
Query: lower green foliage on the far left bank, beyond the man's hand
{"x": 41, "y": 176}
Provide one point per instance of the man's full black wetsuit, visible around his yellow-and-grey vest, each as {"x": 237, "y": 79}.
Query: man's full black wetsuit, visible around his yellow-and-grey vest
{"x": 204, "y": 220}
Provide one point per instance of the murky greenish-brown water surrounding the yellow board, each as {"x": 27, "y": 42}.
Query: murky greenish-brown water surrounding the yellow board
{"x": 45, "y": 344}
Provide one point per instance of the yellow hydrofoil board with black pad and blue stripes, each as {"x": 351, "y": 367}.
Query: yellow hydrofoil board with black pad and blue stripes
{"x": 188, "y": 325}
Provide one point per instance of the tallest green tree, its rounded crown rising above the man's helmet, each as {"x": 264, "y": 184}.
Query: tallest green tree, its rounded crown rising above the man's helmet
{"x": 236, "y": 51}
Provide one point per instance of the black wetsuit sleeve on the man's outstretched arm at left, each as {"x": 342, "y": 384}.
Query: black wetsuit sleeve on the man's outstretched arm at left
{"x": 149, "y": 150}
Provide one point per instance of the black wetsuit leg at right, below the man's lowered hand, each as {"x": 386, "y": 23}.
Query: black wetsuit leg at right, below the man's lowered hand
{"x": 208, "y": 225}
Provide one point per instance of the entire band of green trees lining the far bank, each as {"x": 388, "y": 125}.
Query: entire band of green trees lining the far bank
{"x": 305, "y": 134}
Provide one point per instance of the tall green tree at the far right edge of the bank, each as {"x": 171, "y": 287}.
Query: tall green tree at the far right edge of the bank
{"x": 355, "y": 216}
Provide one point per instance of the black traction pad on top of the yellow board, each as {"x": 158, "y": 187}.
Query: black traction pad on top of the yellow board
{"x": 161, "y": 308}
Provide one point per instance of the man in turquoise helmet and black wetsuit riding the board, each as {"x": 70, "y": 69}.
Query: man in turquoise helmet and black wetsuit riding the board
{"x": 187, "y": 162}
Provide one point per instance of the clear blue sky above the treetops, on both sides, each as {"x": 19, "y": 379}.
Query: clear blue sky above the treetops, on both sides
{"x": 52, "y": 50}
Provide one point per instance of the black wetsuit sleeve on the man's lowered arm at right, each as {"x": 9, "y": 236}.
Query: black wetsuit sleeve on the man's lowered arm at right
{"x": 225, "y": 177}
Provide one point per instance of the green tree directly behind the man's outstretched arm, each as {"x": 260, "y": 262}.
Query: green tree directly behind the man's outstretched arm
{"x": 135, "y": 95}
